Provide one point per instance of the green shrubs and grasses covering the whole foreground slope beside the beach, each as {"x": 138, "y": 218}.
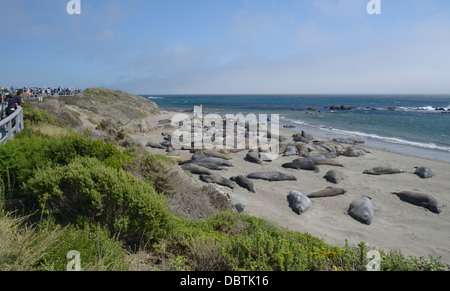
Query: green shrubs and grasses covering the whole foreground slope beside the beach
{"x": 110, "y": 203}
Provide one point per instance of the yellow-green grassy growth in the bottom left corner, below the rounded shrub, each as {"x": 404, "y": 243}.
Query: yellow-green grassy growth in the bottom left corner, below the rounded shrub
{"x": 29, "y": 248}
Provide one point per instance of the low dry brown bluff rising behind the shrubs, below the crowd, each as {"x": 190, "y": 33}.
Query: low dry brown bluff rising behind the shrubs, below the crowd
{"x": 106, "y": 109}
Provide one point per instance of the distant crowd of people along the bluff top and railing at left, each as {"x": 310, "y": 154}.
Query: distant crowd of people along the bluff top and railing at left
{"x": 12, "y": 97}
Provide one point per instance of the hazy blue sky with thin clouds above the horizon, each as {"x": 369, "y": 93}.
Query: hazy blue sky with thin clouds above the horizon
{"x": 228, "y": 46}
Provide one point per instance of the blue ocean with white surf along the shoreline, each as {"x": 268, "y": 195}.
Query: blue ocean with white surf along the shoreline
{"x": 417, "y": 125}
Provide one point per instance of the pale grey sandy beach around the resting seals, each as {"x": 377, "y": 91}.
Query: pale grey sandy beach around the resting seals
{"x": 397, "y": 225}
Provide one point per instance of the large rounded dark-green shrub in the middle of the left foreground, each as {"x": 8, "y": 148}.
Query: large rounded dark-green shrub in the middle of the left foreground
{"x": 86, "y": 189}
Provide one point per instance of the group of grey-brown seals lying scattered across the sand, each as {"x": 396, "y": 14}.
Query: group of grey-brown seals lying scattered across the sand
{"x": 361, "y": 209}
